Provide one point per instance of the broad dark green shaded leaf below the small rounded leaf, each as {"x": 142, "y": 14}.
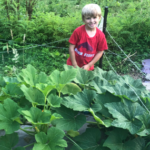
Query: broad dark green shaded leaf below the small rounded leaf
{"x": 70, "y": 121}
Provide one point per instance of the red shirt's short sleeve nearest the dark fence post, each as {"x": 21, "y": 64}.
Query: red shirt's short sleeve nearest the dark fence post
{"x": 102, "y": 44}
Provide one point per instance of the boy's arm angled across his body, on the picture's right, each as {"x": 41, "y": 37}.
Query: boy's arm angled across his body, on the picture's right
{"x": 94, "y": 60}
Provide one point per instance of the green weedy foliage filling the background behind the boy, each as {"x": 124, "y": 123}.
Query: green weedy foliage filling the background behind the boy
{"x": 128, "y": 23}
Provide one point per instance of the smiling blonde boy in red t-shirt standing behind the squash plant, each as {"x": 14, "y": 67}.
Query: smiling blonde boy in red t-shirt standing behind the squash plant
{"x": 87, "y": 42}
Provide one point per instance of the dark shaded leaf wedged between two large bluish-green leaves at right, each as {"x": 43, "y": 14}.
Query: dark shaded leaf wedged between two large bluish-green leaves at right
{"x": 106, "y": 98}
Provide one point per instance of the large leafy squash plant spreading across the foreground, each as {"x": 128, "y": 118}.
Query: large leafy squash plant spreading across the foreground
{"x": 54, "y": 104}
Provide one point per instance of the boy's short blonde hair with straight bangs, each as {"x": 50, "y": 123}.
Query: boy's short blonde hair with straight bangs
{"x": 91, "y": 10}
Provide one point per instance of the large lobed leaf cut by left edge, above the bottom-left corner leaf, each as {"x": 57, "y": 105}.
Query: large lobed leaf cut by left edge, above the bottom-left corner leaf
{"x": 9, "y": 116}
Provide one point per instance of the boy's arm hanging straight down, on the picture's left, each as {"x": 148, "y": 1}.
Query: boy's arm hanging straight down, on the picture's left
{"x": 72, "y": 55}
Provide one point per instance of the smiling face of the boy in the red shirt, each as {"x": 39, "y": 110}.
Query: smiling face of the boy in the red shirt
{"x": 91, "y": 22}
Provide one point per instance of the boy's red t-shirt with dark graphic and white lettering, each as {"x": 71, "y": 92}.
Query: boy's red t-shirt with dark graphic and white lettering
{"x": 86, "y": 47}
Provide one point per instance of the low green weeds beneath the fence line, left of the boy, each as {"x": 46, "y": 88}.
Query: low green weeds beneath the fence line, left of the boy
{"x": 43, "y": 57}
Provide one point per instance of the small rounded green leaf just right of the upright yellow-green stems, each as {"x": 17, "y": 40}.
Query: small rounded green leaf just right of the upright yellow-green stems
{"x": 54, "y": 100}
